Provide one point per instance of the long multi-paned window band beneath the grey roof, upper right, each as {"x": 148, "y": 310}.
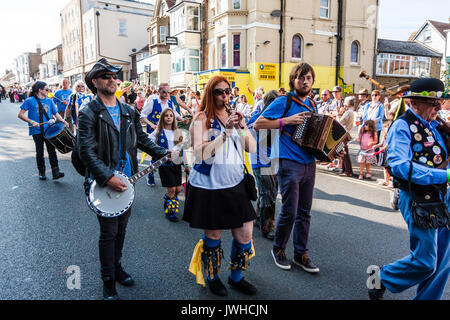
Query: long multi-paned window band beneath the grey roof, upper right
{"x": 403, "y": 65}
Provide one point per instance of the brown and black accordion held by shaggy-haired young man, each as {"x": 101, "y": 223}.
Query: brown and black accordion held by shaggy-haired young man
{"x": 321, "y": 135}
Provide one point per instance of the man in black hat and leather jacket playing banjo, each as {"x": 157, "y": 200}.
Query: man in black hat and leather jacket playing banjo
{"x": 100, "y": 144}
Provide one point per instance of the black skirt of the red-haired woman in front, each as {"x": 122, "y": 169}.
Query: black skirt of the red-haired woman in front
{"x": 218, "y": 209}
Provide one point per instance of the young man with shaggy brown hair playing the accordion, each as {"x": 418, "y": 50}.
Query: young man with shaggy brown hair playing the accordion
{"x": 297, "y": 168}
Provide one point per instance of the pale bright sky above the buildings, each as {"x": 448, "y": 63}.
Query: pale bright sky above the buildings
{"x": 25, "y": 23}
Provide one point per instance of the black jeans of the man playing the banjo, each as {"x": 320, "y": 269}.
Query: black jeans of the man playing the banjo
{"x": 110, "y": 244}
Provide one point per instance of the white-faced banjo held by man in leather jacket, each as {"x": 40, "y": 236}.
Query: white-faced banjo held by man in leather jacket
{"x": 109, "y": 203}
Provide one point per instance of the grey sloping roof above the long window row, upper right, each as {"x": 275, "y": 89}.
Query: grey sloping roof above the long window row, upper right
{"x": 406, "y": 47}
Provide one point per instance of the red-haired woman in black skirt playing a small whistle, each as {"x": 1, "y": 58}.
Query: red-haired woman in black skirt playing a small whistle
{"x": 217, "y": 198}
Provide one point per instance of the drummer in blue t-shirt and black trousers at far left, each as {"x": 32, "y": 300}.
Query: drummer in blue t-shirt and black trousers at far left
{"x": 38, "y": 123}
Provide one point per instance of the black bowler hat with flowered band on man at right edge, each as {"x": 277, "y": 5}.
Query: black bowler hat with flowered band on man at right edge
{"x": 427, "y": 88}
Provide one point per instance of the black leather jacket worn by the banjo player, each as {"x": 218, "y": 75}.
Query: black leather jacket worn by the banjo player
{"x": 98, "y": 139}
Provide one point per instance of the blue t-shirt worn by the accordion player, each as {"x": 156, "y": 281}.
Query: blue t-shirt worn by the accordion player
{"x": 287, "y": 148}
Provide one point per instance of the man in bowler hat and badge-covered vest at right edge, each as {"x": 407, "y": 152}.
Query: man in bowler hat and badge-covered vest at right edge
{"x": 416, "y": 151}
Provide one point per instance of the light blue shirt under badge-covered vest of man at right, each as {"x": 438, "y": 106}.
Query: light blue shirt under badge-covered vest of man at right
{"x": 400, "y": 154}
